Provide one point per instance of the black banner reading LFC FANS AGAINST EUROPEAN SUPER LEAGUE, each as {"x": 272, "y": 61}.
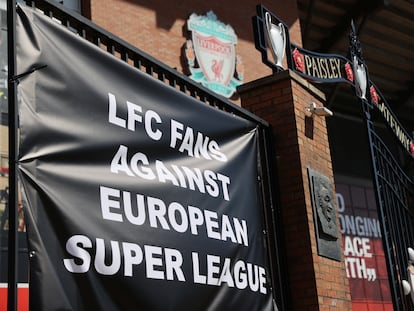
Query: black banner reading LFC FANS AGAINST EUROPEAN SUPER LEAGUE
{"x": 137, "y": 196}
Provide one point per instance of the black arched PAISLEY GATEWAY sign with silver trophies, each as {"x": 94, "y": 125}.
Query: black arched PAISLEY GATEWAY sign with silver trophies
{"x": 271, "y": 33}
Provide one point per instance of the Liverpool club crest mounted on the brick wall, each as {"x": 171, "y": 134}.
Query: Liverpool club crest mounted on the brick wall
{"x": 211, "y": 54}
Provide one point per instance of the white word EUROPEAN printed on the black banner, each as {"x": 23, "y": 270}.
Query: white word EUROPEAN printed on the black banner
{"x": 137, "y": 209}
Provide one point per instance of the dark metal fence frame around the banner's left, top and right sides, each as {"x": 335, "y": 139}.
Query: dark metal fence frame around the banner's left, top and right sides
{"x": 145, "y": 63}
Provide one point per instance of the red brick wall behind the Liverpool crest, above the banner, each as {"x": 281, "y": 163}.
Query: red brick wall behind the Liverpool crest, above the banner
{"x": 158, "y": 27}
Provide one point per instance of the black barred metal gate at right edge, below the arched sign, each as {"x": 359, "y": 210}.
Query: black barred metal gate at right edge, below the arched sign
{"x": 395, "y": 202}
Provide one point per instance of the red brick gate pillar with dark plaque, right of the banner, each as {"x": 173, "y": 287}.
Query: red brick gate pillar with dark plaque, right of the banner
{"x": 300, "y": 142}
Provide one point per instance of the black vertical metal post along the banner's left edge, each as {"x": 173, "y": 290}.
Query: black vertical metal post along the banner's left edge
{"x": 12, "y": 118}
